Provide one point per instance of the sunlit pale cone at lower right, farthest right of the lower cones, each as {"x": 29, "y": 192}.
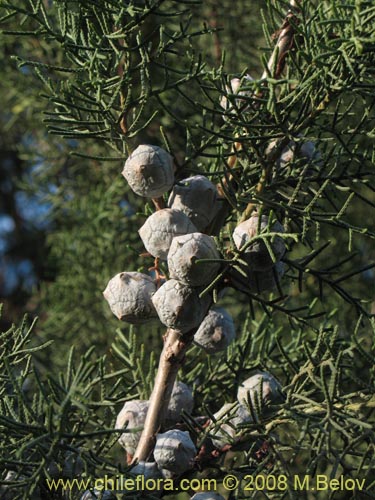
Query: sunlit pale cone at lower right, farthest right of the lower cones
{"x": 265, "y": 386}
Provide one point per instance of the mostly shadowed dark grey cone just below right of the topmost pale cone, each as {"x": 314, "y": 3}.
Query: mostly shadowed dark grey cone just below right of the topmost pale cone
{"x": 197, "y": 197}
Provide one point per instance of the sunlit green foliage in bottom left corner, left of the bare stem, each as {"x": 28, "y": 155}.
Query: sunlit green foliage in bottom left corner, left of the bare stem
{"x": 46, "y": 420}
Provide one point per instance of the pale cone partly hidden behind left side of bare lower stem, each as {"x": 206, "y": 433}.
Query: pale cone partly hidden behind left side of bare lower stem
{"x": 132, "y": 416}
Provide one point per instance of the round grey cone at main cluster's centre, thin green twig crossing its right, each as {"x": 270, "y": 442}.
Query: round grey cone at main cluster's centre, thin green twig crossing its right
{"x": 185, "y": 251}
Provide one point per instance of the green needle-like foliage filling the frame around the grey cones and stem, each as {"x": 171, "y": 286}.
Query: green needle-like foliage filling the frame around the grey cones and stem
{"x": 83, "y": 84}
